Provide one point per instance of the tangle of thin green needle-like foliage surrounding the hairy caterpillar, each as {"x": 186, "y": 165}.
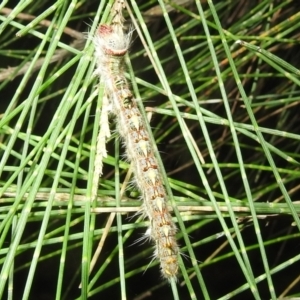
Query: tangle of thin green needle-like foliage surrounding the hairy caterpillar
{"x": 219, "y": 81}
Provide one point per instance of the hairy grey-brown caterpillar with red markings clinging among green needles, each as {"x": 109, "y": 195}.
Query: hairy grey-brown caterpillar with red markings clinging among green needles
{"x": 111, "y": 45}
